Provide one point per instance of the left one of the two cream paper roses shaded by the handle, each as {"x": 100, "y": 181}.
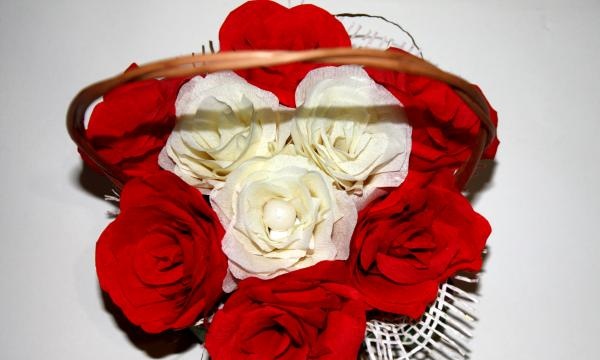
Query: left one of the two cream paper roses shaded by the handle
{"x": 222, "y": 120}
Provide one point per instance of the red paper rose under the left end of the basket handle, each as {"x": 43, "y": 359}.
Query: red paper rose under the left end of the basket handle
{"x": 132, "y": 123}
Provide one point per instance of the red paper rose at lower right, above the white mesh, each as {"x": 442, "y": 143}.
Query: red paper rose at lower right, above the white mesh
{"x": 405, "y": 245}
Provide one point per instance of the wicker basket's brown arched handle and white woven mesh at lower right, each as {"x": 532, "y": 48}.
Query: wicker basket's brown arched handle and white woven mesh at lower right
{"x": 398, "y": 339}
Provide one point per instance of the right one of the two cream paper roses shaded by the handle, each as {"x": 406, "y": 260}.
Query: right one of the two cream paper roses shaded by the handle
{"x": 353, "y": 129}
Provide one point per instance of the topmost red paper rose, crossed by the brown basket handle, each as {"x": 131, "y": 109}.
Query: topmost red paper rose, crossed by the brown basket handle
{"x": 266, "y": 25}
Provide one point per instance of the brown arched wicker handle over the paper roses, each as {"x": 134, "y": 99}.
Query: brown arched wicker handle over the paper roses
{"x": 187, "y": 66}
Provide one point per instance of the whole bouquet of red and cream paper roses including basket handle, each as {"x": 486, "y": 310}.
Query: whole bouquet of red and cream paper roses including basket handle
{"x": 286, "y": 205}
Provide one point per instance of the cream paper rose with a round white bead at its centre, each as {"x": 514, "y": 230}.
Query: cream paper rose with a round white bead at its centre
{"x": 281, "y": 214}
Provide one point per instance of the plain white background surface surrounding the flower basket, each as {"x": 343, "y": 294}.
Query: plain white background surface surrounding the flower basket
{"x": 537, "y": 61}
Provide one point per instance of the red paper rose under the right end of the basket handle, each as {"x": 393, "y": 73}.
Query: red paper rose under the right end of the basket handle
{"x": 444, "y": 127}
